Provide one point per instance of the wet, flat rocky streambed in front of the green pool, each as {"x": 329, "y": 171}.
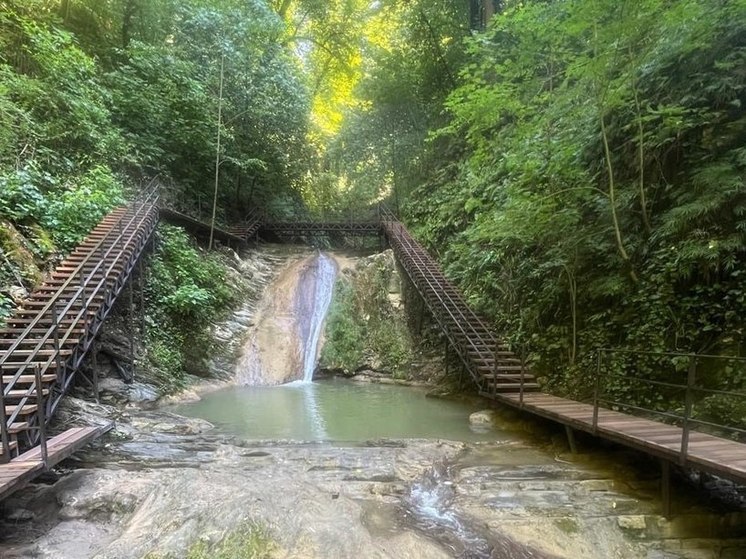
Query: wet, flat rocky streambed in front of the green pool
{"x": 162, "y": 483}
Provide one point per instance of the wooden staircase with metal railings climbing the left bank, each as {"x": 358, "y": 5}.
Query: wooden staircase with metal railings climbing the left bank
{"x": 46, "y": 339}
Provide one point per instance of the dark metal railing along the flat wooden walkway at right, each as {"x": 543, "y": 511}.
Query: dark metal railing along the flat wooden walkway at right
{"x": 692, "y": 390}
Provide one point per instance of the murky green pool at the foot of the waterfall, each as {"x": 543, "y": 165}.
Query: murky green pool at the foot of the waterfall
{"x": 337, "y": 411}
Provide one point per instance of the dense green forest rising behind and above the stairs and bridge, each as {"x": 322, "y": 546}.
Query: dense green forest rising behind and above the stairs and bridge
{"x": 577, "y": 165}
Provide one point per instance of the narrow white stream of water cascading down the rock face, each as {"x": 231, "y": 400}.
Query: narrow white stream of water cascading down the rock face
{"x": 311, "y": 325}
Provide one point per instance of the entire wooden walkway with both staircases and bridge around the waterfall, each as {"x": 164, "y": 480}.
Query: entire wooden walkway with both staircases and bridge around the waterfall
{"x": 46, "y": 339}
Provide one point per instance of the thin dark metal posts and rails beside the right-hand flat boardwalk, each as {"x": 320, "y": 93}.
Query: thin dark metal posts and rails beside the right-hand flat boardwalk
{"x": 691, "y": 390}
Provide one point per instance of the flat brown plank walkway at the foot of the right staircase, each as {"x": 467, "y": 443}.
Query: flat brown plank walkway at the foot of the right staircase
{"x": 705, "y": 452}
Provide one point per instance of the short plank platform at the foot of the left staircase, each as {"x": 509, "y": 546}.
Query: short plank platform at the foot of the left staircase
{"x": 17, "y": 473}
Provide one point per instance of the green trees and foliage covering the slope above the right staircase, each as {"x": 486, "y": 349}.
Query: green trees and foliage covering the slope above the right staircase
{"x": 583, "y": 178}
